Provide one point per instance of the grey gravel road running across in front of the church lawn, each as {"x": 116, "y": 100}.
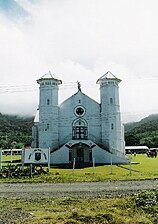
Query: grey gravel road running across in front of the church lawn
{"x": 93, "y": 189}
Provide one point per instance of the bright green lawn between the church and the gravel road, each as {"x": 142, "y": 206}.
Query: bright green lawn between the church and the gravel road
{"x": 143, "y": 167}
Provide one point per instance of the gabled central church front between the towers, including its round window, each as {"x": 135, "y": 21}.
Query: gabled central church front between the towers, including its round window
{"x": 79, "y": 111}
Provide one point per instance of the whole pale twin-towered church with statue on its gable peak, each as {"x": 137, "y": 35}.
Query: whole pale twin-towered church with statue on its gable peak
{"x": 80, "y": 129}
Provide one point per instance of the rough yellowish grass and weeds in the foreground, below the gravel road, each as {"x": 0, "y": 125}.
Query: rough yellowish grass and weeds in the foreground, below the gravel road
{"x": 140, "y": 208}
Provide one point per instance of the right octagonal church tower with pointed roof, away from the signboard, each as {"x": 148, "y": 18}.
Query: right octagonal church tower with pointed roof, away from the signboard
{"x": 111, "y": 129}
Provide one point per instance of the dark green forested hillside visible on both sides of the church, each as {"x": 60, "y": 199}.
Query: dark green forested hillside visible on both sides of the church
{"x": 15, "y": 131}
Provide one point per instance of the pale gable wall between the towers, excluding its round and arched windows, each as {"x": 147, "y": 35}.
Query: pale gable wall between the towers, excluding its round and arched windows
{"x": 67, "y": 117}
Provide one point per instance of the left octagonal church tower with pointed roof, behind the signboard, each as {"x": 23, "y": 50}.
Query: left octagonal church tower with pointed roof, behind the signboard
{"x": 48, "y": 111}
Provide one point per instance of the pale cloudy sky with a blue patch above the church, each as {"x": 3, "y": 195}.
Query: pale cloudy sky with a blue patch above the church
{"x": 79, "y": 40}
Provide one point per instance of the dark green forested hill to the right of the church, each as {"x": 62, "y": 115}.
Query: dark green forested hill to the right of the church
{"x": 144, "y": 132}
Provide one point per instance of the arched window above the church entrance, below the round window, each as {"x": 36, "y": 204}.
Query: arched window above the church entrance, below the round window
{"x": 79, "y": 129}
